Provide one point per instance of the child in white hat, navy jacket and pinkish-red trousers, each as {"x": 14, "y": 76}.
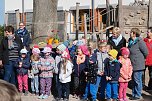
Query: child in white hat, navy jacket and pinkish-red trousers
{"x": 22, "y": 64}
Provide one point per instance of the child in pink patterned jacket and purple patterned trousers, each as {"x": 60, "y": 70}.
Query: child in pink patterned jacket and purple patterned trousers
{"x": 46, "y": 73}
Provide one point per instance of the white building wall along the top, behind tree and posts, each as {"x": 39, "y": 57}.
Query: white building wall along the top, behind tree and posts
{"x": 66, "y": 4}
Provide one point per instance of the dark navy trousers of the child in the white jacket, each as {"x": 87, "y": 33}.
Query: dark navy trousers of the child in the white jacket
{"x": 64, "y": 89}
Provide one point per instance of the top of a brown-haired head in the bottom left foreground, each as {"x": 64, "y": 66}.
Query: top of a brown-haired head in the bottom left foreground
{"x": 8, "y": 92}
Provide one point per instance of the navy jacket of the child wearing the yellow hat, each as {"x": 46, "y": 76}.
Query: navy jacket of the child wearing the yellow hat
{"x": 112, "y": 69}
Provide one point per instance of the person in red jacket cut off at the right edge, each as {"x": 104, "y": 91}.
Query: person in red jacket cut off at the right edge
{"x": 148, "y": 42}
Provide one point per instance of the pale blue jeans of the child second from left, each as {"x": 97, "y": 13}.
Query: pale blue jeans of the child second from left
{"x": 35, "y": 84}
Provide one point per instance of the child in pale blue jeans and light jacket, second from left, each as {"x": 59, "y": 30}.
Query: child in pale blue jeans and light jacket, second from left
{"x": 35, "y": 63}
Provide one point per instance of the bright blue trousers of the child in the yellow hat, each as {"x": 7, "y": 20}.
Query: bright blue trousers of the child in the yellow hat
{"x": 112, "y": 90}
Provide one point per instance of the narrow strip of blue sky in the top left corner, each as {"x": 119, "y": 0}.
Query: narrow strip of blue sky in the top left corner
{"x": 2, "y": 9}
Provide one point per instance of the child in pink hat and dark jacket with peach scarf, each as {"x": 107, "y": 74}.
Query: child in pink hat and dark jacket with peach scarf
{"x": 81, "y": 63}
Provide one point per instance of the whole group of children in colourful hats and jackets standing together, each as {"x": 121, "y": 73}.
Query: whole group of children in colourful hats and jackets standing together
{"x": 89, "y": 69}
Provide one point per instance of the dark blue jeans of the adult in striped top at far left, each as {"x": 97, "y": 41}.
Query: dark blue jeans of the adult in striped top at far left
{"x": 9, "y": 74}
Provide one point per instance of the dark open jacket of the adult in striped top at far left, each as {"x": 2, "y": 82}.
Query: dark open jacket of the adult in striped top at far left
{"x": 4, "y": 51}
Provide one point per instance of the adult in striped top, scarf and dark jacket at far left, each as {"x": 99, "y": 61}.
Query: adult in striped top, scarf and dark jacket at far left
{"x": 9, "y": 52}
